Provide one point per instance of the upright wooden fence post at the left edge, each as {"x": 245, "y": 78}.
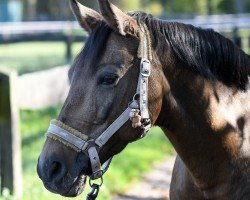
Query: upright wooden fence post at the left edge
{"x": 10, "y": 146}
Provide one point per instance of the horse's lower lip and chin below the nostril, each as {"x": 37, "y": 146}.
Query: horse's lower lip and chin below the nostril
{"x": 74, "y": 190}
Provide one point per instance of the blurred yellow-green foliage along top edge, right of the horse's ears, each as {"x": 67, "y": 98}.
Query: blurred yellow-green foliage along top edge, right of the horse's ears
{"x": 180, "y": 7}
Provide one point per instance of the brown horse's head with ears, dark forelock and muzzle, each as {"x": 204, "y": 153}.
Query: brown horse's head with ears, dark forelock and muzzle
{"x": 103, "y": 79}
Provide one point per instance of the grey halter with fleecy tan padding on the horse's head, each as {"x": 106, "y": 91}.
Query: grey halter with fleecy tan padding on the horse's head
{"x": 81, "y": 143}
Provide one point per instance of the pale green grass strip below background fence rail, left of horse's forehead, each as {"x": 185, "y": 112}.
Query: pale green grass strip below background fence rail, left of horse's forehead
{"x": 34, "y": 56}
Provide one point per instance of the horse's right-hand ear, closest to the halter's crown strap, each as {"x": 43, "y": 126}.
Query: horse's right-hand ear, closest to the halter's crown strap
{"x": 117, "y": 19}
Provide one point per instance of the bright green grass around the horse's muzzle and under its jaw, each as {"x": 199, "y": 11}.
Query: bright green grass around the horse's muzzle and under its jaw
{"x": 124, "y": 170}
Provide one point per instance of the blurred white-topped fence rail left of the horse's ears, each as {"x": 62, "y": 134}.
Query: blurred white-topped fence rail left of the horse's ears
{"x": 42, "y": 31}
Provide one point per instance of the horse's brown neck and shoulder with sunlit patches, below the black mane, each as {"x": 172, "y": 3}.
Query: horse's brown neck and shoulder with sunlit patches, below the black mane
{"x": 212, "y": 143}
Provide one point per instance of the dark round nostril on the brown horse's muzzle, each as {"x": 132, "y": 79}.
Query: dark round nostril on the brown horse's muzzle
{"x": 56, "y": 171}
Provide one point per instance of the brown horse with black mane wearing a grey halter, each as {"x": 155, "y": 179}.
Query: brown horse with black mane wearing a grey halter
{"x": 196, "y": 88}
